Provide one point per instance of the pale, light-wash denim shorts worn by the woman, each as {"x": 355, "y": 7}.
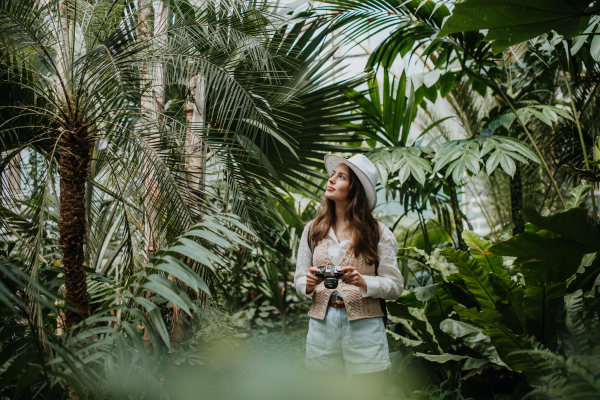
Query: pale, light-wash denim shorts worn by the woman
{"x": 336, "y": 344}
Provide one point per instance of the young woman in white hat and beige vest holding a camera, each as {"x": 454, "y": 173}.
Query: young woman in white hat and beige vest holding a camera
{"x": 346, "y": 330}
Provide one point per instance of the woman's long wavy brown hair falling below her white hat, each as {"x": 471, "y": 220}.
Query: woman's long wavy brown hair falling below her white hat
{"x": 362, "y": 224}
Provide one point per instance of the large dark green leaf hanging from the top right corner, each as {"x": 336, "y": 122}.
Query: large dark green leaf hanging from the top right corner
{"x": 510, "y": 22}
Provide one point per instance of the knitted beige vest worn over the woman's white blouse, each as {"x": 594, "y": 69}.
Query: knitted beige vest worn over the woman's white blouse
{"x": 357, "y": 307}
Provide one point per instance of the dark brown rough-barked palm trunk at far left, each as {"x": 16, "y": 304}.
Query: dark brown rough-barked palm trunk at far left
{"x": 74, "y": 168}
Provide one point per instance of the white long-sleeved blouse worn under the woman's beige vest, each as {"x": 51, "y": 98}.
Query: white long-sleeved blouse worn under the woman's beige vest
{"x": 387, "y": 285}
